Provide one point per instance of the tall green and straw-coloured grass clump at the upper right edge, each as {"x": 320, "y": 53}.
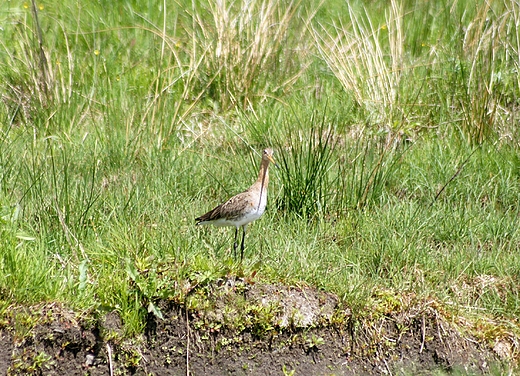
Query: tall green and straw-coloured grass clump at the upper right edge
{"x": 490, "y": 51}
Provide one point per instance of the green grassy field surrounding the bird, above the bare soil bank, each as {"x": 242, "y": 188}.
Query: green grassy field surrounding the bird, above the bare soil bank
{"x": 395, "y": 128}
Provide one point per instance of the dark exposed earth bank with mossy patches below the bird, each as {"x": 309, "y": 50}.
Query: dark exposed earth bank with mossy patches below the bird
{"x": 248, "y": 329}
